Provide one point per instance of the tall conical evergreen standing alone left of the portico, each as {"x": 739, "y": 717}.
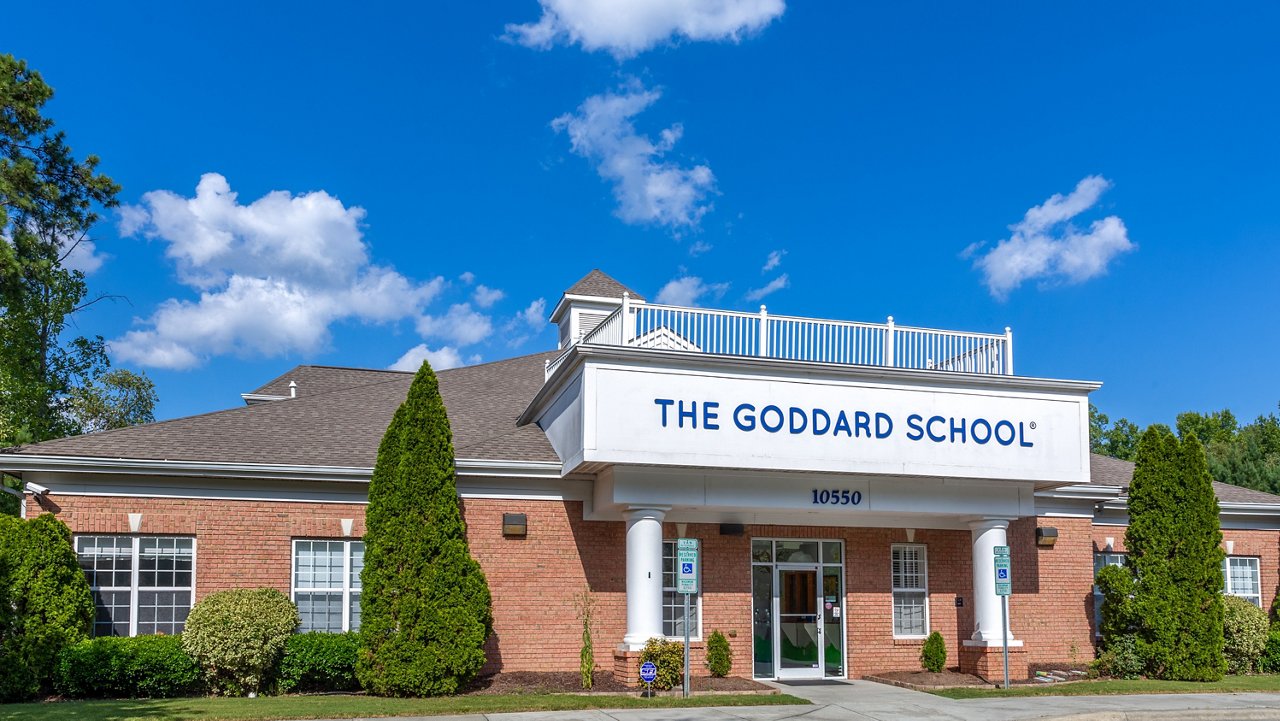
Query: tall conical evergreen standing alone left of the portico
{"x": 426, "y": 603}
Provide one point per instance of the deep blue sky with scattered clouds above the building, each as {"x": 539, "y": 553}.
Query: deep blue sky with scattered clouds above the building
{"x": 899, "y": 159}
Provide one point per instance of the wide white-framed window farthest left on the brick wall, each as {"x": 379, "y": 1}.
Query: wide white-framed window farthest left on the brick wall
{"x": 140, "y": 585}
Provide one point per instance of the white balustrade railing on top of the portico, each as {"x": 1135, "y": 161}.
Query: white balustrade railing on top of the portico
{"x": 734, "y": 334}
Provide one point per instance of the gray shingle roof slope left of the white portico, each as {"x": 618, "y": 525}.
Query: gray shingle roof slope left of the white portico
{"x": 339, "y": 419}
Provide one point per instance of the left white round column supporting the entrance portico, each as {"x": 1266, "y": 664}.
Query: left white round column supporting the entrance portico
{"x": 644, "y": 576}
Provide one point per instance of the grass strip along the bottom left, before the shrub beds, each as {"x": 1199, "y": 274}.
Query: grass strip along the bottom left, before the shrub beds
{"x": 350, "y": 706}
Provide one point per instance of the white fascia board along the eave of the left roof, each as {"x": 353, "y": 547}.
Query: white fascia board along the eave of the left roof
{"x": 19, "y": 464}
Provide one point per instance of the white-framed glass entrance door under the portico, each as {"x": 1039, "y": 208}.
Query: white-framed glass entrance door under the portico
{"x": 799, "y": 631}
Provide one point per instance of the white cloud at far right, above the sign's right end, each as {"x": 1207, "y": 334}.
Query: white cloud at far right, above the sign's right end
{"x": 1046, "y": 247}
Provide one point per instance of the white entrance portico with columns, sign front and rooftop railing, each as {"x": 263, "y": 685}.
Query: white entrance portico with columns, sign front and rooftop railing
{"x": 775, "y": 437}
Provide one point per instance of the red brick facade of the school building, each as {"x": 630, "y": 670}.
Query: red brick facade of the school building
{"x": 536, "y": 579}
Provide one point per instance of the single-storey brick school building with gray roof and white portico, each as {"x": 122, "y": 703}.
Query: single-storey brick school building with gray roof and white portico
{"x": 848, "y": 485}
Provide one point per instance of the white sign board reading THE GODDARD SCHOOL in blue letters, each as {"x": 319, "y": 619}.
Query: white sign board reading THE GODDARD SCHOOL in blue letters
{"x": 664, "y": 418}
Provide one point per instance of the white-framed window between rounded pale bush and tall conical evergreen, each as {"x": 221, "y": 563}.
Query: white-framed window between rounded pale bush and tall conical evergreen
{"x": 327, "y": 585}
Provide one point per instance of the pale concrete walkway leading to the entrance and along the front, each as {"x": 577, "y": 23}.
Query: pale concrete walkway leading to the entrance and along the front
{"x": 863, "y": 701}
